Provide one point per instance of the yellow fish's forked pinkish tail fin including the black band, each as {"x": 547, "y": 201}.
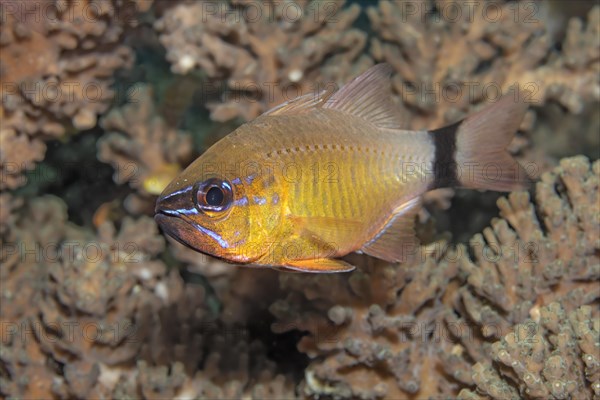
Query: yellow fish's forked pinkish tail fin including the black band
{"x": 472, "y": 153}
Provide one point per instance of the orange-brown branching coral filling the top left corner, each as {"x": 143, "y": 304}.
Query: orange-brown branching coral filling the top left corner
{"x": 56, "y": 70}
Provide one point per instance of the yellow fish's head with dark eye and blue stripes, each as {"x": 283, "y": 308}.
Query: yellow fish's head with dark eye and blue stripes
{"x": 214, "y": 207}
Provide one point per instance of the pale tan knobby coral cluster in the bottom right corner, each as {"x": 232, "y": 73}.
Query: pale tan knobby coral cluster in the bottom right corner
{"x": 554, "y": 355}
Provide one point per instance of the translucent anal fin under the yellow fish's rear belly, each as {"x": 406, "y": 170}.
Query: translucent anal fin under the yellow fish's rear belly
{"x": 396, "y": 241}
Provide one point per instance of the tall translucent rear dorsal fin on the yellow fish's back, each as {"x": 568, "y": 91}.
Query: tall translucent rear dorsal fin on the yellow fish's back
{"x": 369, "y": 96}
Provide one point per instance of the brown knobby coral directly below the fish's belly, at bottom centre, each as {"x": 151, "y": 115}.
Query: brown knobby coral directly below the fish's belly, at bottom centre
{"x": 373, "y": 334}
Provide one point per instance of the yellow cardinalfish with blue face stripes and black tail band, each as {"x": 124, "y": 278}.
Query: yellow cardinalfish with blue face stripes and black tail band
{"x": 325, "y": 175}
